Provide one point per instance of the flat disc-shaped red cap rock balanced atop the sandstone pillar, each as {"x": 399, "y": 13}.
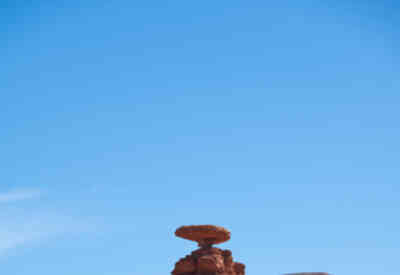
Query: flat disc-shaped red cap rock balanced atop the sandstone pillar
{"x": 204, "y": 234}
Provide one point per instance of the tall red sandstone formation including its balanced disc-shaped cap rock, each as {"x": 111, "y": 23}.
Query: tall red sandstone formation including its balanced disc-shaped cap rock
{"x": 207, "y": 260}
